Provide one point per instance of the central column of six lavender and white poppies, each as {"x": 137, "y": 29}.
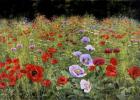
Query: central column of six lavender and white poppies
{"x": 86, "y": 60}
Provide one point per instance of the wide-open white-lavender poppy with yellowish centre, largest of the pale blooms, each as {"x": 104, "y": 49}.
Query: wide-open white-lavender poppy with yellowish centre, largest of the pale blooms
{"x": 76, "y": 71}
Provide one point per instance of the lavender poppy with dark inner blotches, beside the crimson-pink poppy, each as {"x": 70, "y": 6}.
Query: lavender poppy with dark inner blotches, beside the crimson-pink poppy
{"x": 86, "y": 60}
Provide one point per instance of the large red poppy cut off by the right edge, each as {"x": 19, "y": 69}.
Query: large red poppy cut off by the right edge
{"x": 134, "y": 72}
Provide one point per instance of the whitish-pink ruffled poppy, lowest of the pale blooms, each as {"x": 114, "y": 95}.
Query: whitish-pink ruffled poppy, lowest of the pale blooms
{"x": 85, "y": 85}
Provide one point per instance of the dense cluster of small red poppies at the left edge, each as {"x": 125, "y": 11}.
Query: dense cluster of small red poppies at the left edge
{"x": 11, "y": 72}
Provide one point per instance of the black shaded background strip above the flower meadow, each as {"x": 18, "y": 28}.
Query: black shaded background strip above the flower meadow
{"x": 98, "y": 8}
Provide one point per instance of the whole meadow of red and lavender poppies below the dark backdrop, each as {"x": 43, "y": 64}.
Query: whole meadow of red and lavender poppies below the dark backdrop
{"x": 75, "y": 58}
